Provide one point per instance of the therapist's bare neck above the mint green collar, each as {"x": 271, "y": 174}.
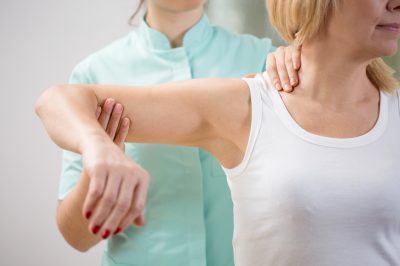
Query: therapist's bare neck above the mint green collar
{"x": 173, "y": 24}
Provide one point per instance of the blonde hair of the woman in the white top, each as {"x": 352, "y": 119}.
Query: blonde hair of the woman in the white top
{"x": 299, "y": 20}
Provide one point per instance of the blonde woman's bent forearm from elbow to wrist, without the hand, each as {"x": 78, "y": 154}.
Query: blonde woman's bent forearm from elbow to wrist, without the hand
{"x": 68, "y": 115}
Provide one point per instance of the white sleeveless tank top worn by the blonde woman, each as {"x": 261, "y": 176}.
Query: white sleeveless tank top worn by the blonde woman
{"x": 305, "y": 200}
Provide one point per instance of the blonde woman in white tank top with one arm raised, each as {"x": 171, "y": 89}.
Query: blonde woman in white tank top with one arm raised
{"x": 335, "y": 203}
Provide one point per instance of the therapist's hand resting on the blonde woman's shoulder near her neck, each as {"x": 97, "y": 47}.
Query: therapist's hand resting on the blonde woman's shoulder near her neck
{"x": 282, "y": 67}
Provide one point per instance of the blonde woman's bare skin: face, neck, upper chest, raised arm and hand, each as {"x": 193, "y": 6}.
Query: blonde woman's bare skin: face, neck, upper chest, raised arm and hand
{"x": 215, "y": 114}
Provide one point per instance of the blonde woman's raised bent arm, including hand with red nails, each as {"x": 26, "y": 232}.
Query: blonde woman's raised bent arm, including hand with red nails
{"x": 212, "y": 113}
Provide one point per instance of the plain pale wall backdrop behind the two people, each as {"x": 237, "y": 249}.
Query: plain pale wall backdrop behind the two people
{"x": 41, "y": 41}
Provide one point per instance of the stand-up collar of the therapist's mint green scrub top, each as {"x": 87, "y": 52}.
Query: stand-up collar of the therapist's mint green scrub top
{"x": 156, "y": 40}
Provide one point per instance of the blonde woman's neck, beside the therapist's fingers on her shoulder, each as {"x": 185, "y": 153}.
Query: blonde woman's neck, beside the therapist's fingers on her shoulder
{"x": 332, "y": 77}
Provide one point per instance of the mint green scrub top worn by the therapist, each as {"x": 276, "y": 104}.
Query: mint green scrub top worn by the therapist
{"x": 189, "y": 216}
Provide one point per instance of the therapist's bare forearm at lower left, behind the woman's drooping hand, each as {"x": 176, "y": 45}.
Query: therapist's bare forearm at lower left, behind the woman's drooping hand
{"x": 71, "y": 223}
